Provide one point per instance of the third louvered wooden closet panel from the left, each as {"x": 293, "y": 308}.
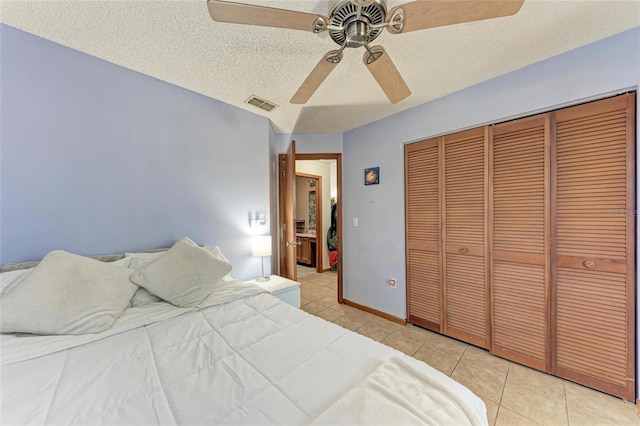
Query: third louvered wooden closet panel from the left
{"x": 520, "y": 232}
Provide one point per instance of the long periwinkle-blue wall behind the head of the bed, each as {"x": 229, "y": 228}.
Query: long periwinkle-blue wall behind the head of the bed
{"x": 95, "y": 158}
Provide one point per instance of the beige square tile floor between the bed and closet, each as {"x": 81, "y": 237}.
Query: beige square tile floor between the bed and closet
{"x": 514, "y": 395}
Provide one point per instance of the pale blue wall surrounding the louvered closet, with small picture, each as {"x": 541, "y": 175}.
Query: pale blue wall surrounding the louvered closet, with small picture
{"x": 375, "y": 250}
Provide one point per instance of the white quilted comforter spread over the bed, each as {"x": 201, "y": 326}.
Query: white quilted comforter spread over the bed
{"x": 245, "y": 358}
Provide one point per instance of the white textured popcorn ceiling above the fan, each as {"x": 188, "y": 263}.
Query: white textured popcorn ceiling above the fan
{"x": 176, "y": 41}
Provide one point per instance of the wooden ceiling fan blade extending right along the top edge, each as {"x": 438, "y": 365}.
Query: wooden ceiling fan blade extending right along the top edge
{"x": 423, "y": 14}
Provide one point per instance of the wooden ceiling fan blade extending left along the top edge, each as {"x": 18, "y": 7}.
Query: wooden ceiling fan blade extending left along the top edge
{"x": 240, "y": 13}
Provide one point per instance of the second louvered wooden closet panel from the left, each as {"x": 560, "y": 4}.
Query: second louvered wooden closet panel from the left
{"x": 463, "y": 212}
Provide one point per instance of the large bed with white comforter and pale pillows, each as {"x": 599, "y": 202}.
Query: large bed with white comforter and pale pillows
{"x": 237, "y": 356}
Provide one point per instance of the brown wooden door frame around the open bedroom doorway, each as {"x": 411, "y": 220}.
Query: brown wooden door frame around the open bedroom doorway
{"x": 339, "y": 222}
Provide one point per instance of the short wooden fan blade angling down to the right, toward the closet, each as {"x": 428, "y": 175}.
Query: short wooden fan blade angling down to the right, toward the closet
{"x": 386, "y": 74}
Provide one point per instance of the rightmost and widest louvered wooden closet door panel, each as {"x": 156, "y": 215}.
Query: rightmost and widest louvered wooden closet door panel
{"x": 594, "y": 294}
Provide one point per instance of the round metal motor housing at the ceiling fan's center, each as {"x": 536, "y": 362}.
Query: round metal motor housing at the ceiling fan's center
{"x": 356, "y": 32}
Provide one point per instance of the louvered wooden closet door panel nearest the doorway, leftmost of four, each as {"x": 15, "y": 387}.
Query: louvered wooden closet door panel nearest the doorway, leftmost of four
{"x": 424, "y": 300}
